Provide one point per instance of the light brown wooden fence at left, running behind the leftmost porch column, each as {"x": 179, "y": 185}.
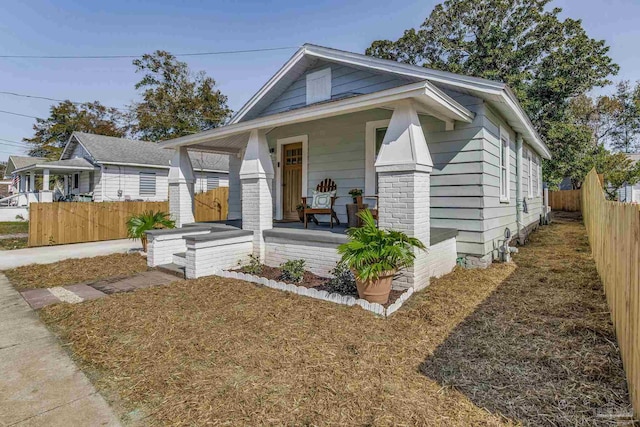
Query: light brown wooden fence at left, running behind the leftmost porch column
{"x": 65, "y": 222}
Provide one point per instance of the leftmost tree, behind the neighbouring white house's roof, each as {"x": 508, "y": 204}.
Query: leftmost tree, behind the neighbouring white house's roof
{"x": 53, "y": 133}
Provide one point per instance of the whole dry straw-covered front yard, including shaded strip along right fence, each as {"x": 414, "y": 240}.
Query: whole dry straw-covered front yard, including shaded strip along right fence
{"x": 528, "y": 342}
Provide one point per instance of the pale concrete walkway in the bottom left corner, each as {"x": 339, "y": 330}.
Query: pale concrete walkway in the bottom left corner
{"x": 39, "y": 384}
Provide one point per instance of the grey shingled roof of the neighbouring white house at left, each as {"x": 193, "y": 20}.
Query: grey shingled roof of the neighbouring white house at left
{"x": 122, "y": 151}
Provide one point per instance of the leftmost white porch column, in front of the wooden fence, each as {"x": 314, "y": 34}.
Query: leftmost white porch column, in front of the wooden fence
{"x": 181, "y": 183}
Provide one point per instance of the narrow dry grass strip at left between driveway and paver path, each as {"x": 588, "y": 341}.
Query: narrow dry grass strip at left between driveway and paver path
{"x": 73, "y": 271}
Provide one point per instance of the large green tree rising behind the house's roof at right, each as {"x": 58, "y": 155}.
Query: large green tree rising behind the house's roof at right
{"x": 547, "y": 62}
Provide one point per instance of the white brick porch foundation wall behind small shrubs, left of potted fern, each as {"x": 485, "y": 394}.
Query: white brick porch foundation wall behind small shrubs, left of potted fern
{"x": 320, "y": 258}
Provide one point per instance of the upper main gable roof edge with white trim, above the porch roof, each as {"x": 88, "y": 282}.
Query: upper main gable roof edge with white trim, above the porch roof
{"x": 497, "y": 94}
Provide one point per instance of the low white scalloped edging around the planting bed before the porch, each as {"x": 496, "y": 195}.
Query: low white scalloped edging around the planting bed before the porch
{"x": 321, "y": 295}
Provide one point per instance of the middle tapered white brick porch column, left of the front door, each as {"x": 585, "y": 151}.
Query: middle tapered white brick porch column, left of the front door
{"x": 256, "y": 175}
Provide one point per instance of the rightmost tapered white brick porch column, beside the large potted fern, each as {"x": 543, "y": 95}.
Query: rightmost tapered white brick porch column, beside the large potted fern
{"x": 404, "y": 168}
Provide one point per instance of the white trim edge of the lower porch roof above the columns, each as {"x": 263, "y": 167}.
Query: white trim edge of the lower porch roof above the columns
{"x": 422, "y": 90}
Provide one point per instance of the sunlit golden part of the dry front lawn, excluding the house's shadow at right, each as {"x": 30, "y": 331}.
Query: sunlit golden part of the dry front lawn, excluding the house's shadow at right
{"x": 227, "y": 352}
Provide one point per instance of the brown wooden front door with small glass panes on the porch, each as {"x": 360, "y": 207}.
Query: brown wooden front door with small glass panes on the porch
{"x": 291, "y": 180}
